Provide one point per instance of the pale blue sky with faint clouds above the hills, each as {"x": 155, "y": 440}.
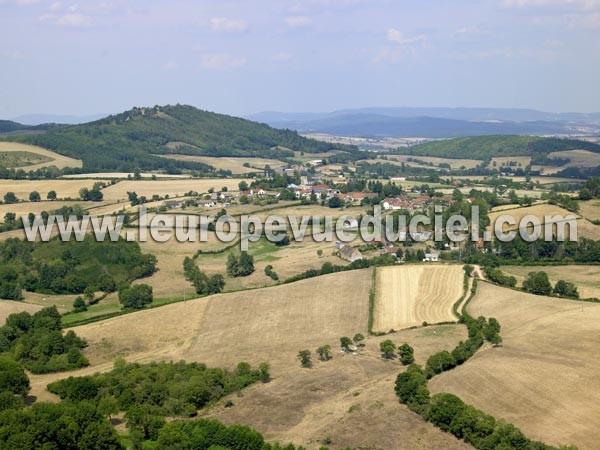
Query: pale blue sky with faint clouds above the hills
{"x": 240, "y": 57}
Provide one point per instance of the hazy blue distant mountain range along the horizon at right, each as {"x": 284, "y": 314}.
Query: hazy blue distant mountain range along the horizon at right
{"x": 433, "y": 122}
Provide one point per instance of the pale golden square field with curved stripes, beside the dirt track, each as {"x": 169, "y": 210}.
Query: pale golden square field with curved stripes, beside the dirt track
{"x": 409, "y": 295}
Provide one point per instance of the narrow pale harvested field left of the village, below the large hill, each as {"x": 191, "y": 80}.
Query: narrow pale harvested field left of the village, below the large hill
{"x": 167, "y": 187}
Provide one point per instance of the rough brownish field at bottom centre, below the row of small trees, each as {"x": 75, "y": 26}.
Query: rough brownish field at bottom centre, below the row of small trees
{"x": 348, "y": 401}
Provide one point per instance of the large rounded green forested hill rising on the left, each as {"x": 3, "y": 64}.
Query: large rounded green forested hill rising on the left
{"x": 132, "y": 139}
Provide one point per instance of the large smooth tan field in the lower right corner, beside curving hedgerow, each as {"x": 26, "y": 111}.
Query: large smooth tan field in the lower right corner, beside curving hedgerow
{"x": 544, "y": 378}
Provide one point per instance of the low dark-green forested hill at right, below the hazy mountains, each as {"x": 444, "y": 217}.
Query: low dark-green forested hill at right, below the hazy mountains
{"x": 486, "y": 147}
